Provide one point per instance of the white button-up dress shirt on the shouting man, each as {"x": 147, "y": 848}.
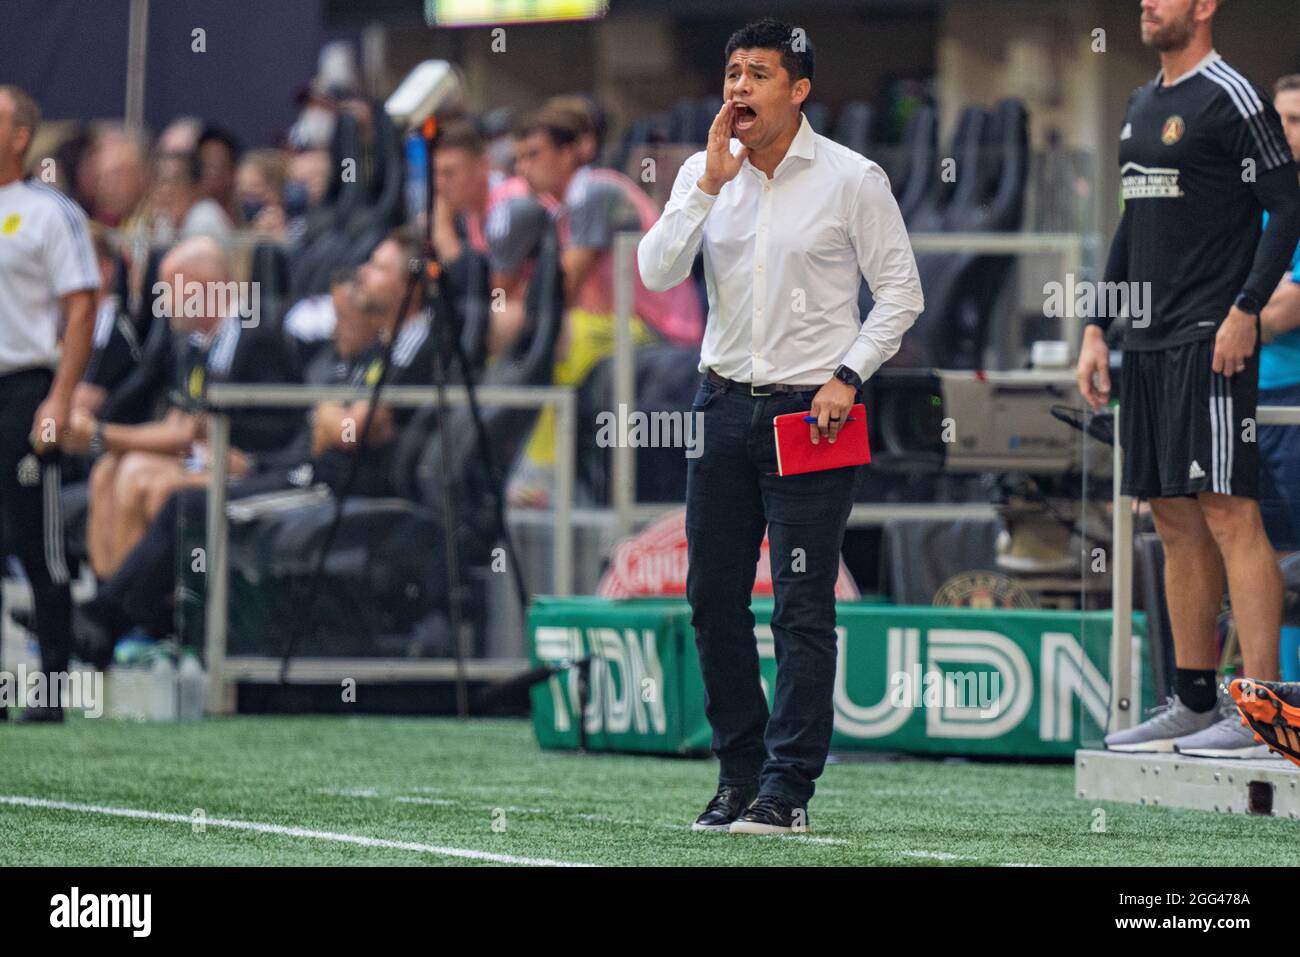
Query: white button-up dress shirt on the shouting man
{"x": 785, "y": 259}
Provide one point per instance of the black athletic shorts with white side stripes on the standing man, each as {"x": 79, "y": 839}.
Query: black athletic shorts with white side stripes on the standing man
{"x": 1186, "y": 428}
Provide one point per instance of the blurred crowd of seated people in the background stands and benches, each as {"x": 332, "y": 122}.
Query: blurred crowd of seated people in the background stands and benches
{"x": 190, "y": 209}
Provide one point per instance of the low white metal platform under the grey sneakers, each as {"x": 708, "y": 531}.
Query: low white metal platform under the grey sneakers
{"x": 1264, "y": 787}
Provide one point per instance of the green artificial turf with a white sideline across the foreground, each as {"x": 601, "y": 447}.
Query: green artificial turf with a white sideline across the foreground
{"x": 484, "y": 786}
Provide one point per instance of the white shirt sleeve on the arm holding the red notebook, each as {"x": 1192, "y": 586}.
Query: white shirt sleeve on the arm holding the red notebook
{"x": 887, "y": 263}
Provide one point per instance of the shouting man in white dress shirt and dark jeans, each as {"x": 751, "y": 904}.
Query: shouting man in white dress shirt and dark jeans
{"x": 790, "y": 223}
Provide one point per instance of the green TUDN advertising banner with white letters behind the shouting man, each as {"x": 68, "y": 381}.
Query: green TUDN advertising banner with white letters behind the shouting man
{"x": 930, "y": 681}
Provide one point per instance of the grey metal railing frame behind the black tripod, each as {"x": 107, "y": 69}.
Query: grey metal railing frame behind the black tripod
{"x": 223, "y": 670}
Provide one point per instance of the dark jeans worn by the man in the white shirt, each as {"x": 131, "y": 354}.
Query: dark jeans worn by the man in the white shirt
{"x": 733, "y": 495}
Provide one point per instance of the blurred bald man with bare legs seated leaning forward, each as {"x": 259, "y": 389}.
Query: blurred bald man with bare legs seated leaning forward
{"x": 140, "y": 466}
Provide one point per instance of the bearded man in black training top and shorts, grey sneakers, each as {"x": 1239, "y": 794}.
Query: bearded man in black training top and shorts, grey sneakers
{"x": 1202, "y": 155}
